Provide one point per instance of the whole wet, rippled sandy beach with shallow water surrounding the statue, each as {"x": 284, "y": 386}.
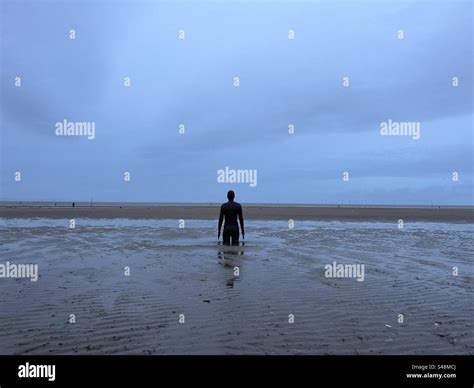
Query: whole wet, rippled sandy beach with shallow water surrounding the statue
{"x": 187, "y": 295}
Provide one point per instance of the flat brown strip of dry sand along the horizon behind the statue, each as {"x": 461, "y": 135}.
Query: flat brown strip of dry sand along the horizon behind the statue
{"x": 260, "y": 212}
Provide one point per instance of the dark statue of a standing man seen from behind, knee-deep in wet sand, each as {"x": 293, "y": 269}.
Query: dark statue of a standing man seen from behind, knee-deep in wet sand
{"x": 231, "y": 211}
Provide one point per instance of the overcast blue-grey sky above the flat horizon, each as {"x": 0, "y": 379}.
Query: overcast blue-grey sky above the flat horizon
{"x": 71, "y": 60}
